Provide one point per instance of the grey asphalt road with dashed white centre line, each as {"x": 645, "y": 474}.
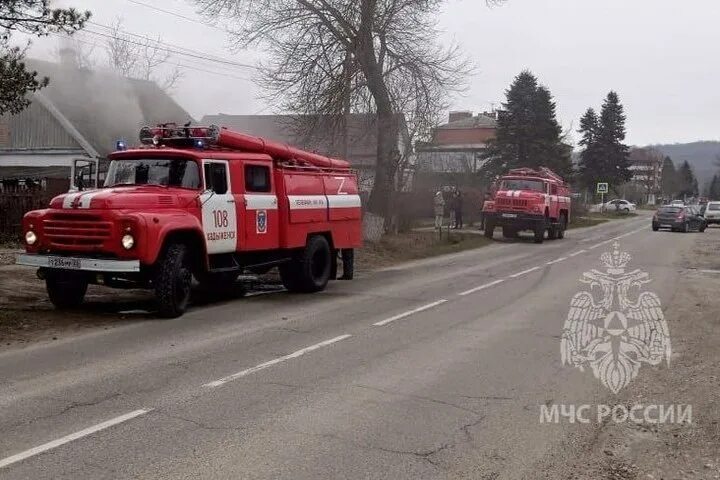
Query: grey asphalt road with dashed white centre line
{"x": 435, "y": 369}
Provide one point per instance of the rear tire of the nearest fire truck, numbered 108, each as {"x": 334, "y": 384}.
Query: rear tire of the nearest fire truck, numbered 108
{"x": 308, "y": 271}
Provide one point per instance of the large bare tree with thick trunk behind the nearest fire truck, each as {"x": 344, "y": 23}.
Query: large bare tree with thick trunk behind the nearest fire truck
{"x": 332, "y": 57}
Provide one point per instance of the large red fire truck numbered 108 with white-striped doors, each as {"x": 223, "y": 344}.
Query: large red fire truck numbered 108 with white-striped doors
{"x": 201, "y": 202}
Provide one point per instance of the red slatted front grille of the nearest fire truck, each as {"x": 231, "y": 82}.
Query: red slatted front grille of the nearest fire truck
{"x": 76, "y": 230}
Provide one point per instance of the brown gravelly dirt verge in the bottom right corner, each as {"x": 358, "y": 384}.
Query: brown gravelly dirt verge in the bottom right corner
{"x": 669, "y": 451}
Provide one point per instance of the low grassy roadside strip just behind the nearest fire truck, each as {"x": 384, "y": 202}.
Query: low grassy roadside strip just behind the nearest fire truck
{"x": 403, "y": 247}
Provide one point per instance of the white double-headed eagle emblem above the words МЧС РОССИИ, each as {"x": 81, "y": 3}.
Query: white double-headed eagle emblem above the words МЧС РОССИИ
{"x": 615, "y": 326}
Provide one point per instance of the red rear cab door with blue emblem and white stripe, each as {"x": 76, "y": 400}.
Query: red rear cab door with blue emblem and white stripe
{"x": 258, "y": 215}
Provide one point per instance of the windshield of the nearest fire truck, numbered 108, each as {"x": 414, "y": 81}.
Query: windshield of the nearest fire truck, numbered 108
{"x": 167, "y": 172}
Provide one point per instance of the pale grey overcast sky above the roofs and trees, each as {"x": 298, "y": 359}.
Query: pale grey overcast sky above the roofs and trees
{"x": 661, "y": 56}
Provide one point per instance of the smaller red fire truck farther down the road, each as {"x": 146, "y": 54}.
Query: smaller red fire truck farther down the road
{"x": 528, "y": 199}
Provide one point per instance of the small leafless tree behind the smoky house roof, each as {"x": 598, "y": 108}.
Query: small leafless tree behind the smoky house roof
{"x": 140, "y": 57}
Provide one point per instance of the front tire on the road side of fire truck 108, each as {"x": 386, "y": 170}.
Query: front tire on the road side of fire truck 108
{"x": 173, "y": 280}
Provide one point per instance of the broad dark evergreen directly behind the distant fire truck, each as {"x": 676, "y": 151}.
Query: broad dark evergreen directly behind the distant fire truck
{"x": 528, "y": 133}
